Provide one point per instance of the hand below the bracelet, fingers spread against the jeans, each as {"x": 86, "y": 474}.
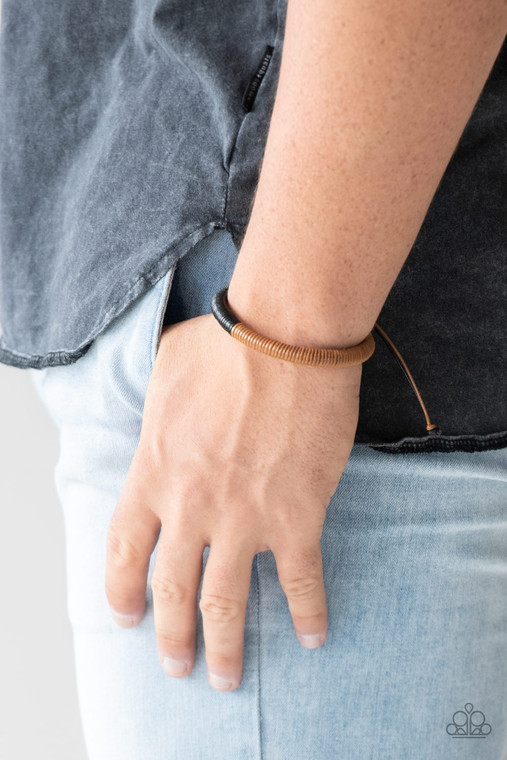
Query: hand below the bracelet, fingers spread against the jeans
{"x": 241, "y": 452}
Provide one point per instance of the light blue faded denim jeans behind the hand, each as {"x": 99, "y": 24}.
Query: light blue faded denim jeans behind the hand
{"x": 414, "y": 551}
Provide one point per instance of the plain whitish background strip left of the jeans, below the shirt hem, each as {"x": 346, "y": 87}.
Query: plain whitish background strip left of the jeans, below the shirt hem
{"x": 39, "y": 714}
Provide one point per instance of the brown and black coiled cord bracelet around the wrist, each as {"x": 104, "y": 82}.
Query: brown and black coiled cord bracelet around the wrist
{"x": 343, "y": 357}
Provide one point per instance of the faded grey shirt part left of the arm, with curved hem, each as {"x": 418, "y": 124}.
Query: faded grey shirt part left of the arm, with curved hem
{"x": 123, "y": 142}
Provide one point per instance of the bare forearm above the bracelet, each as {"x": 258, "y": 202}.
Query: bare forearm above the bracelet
{"x": 371, "y": 102}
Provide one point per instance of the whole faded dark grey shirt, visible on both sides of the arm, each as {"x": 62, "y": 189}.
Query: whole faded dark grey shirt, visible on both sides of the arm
{"x": 124, "y": 141}
